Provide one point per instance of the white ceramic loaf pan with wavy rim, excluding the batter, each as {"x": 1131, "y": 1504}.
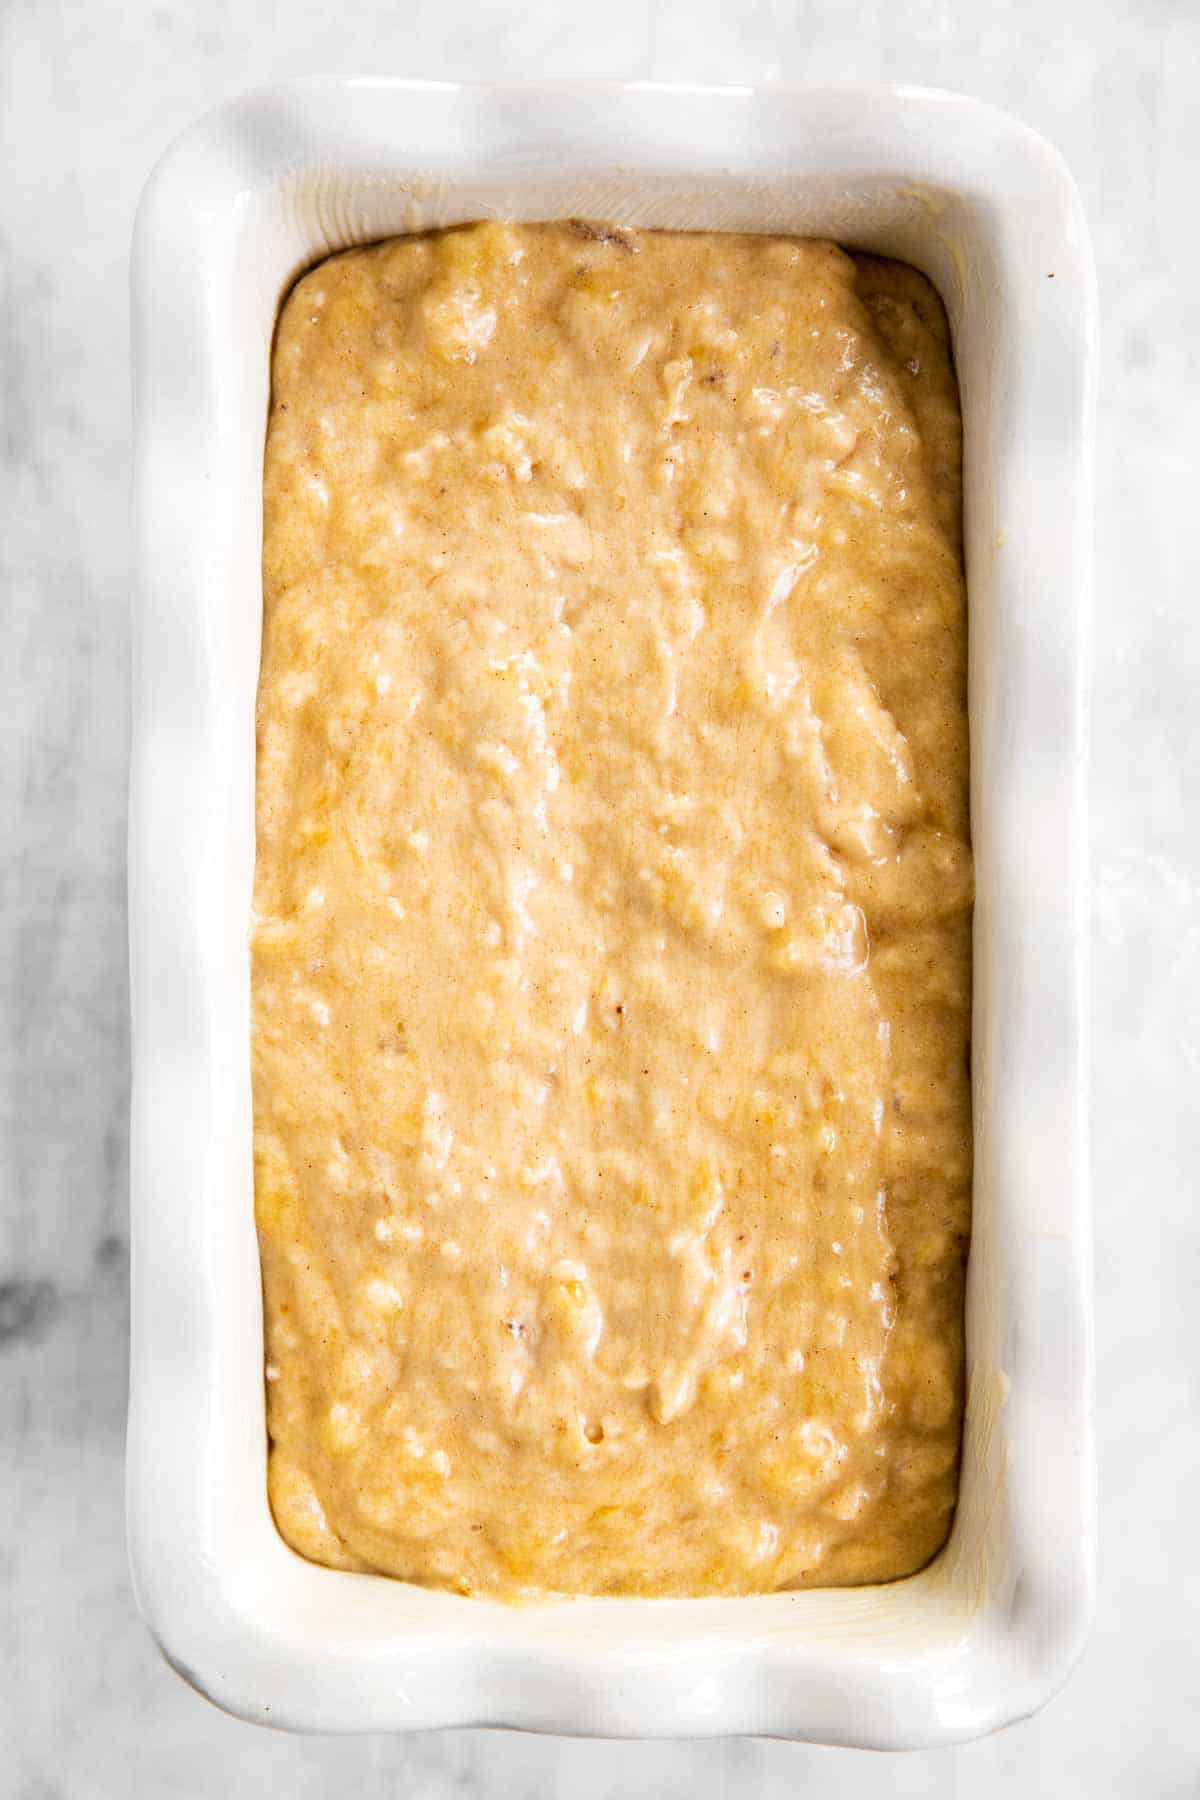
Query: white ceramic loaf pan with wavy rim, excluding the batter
{"x": 238, "y": 208}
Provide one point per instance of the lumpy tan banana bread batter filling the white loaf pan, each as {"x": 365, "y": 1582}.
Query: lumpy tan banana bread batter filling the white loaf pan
{"x": 613, "y": 915}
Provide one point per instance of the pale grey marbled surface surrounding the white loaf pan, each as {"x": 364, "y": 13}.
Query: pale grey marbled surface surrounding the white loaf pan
{"x": 89, "y": 96}
